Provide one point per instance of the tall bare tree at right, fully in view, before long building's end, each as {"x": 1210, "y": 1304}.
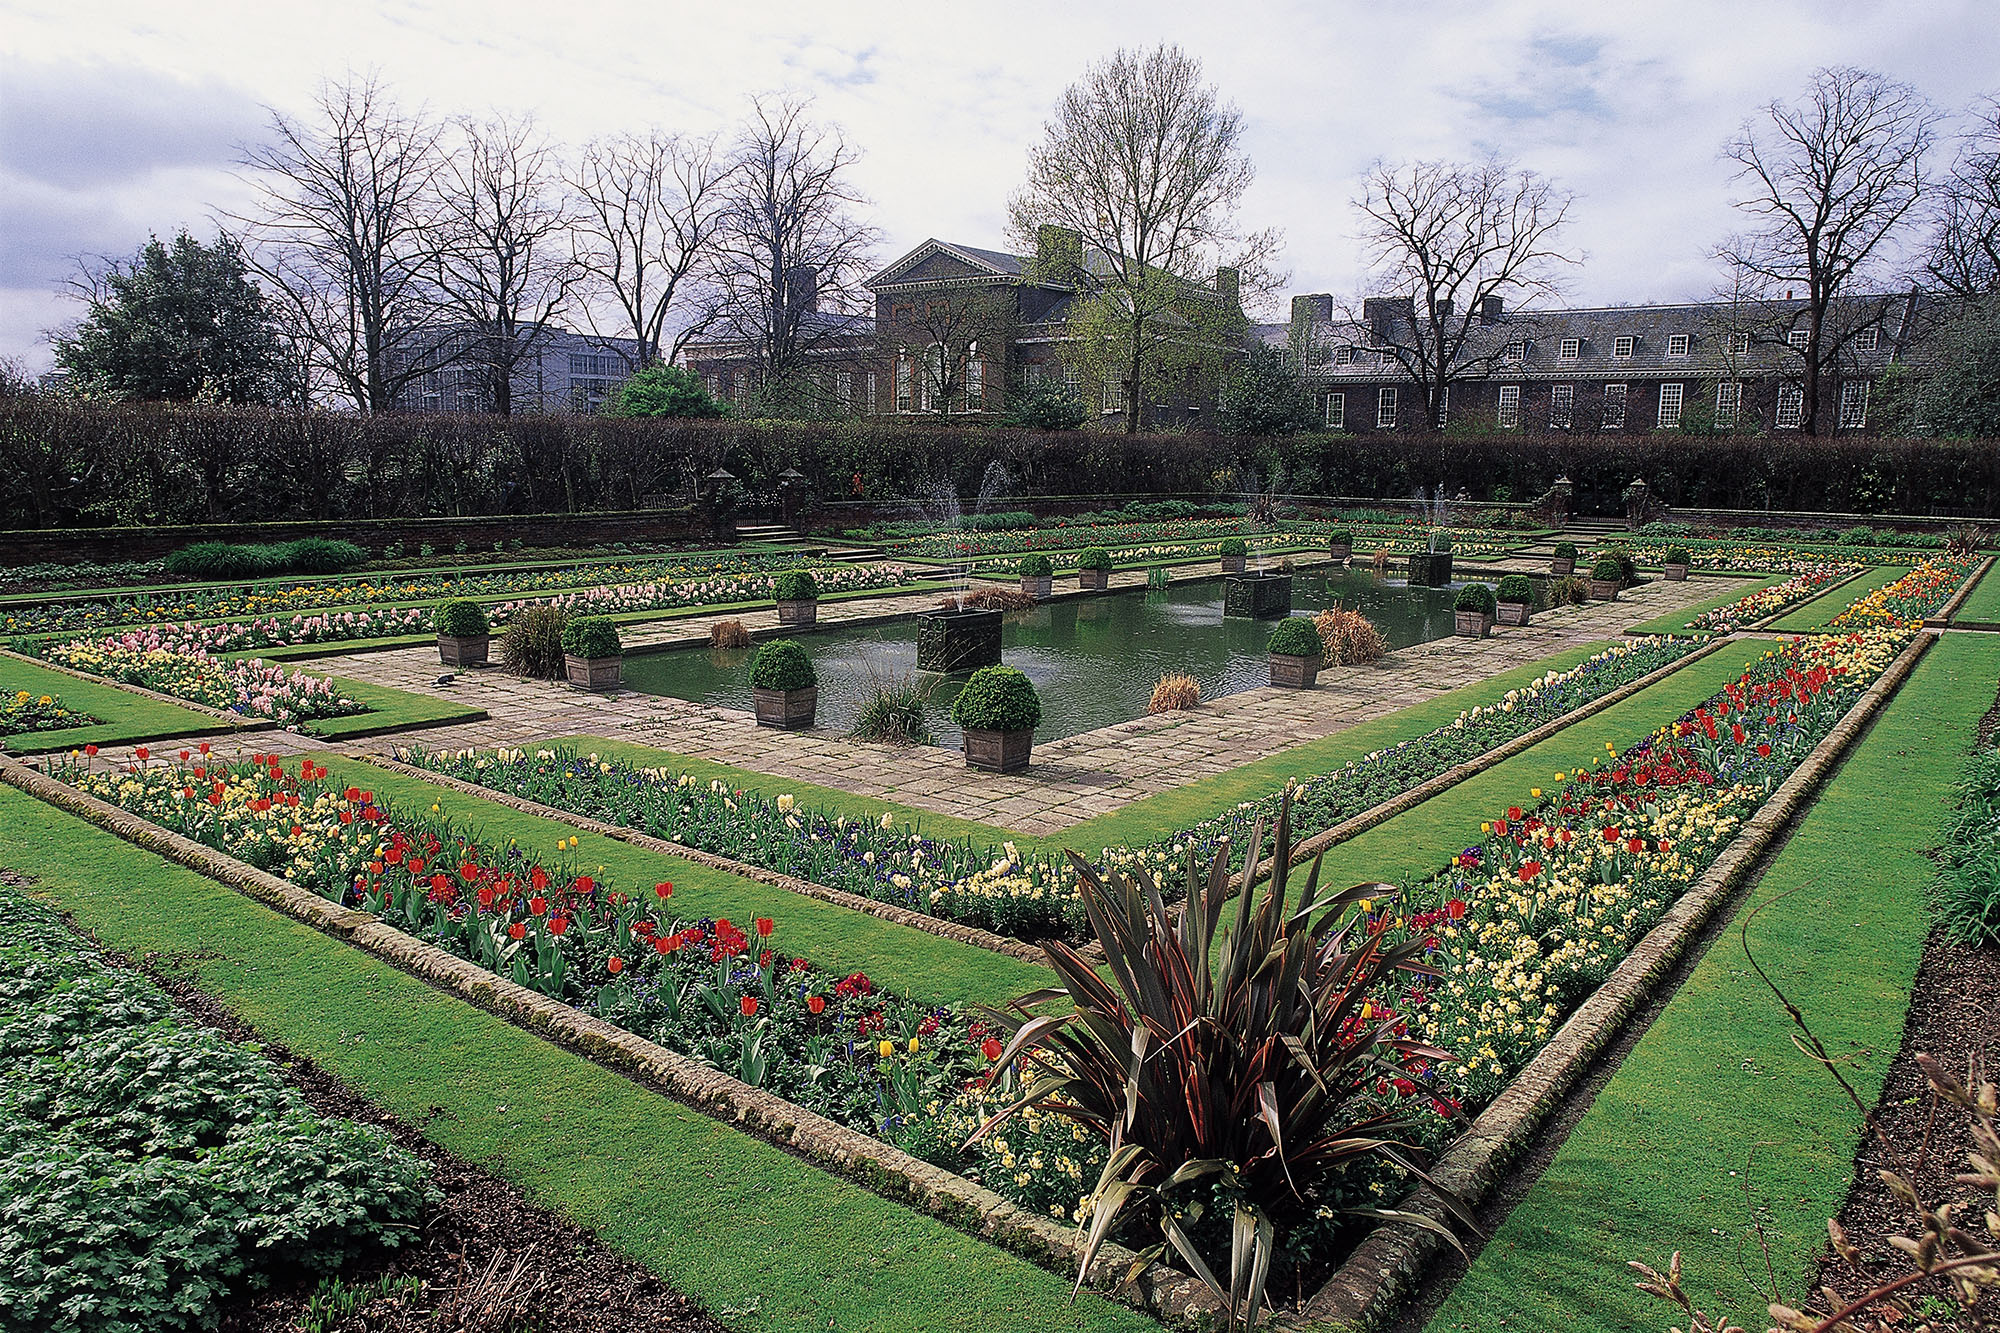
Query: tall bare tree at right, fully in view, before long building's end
{"x": 1833, "y": 181}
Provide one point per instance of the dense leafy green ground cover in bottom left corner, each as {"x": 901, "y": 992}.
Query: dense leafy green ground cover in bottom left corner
{"x": 151, "y": 1168}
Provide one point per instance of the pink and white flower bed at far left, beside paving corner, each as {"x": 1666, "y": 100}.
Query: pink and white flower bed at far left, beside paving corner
{"x": 185, "y": 670}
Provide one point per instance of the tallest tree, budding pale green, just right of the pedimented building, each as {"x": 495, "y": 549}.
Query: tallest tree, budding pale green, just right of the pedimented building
{"x": 1145, "y": 165}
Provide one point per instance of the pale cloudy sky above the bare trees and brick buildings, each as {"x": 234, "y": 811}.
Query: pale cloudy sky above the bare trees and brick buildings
{"x": 125, "y": 119}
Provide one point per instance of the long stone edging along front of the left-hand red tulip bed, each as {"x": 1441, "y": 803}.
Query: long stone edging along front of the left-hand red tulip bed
{"x": 875, "y": 1166}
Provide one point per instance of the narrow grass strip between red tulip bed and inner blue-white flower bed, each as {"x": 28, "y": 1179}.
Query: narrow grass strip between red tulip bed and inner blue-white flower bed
{"x": 841, "y": 940}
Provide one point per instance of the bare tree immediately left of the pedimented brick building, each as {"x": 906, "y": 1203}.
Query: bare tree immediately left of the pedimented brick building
{"x": 789, "y": 249}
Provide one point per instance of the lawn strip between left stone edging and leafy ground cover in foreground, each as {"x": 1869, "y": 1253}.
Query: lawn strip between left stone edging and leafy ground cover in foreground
{"x": 761, "y": 1238}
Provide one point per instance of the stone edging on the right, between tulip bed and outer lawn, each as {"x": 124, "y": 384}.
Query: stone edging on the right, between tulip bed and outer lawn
{"x": 1393, "y": 1256}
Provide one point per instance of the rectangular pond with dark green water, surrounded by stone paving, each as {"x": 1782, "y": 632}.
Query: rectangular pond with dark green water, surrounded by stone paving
{"x": 1093, "y": 659}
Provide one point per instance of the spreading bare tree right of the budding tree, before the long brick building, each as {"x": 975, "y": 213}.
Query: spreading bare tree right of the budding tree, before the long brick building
{"x": 1453, "y": 253}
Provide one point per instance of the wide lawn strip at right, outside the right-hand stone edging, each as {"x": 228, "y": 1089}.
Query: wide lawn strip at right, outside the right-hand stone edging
{"x": 1715, "y": 1120}
